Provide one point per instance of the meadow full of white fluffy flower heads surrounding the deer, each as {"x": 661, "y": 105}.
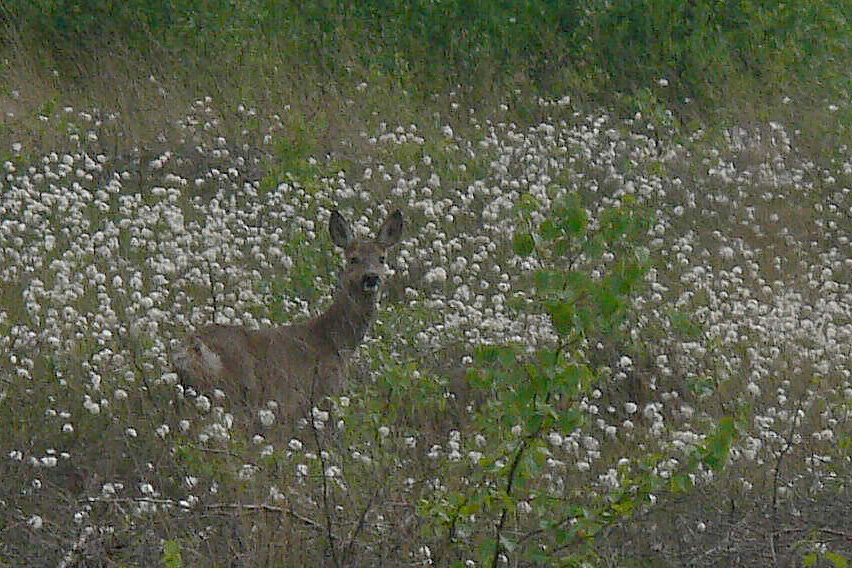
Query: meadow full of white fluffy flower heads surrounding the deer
{"x": 604, "y": 343}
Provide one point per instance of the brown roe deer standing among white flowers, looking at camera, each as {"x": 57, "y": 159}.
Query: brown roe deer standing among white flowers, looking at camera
{"x": 299, "y": 363}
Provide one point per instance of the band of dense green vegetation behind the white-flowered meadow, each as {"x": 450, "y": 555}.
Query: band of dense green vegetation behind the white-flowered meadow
{"x": 704, "y": 49}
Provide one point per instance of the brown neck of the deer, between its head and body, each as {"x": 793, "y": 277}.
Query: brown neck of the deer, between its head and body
{"x": 345, "y": 322}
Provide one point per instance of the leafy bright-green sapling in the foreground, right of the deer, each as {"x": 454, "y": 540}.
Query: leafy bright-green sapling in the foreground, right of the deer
{"x": 534, "y": 395}
